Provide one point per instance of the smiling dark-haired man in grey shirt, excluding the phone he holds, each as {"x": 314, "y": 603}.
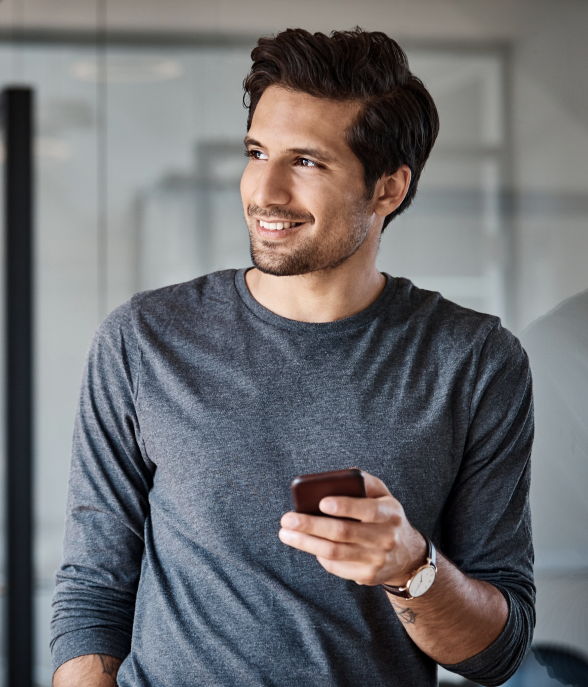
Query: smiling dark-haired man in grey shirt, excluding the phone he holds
{"x": 202, "y": 401}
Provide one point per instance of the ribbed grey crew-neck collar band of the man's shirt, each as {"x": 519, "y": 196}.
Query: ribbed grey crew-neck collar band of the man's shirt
{"x": 357, "y": 321}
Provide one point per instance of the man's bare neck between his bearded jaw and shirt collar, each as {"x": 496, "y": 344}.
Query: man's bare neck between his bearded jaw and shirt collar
{"x": 323, "y": 296}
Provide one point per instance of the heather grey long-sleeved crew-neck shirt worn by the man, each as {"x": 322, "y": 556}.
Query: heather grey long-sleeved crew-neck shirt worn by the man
{"x": 198, "y": 407}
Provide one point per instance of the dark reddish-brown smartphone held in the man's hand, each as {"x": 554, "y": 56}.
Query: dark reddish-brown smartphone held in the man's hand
{"x": 308, "y": 490}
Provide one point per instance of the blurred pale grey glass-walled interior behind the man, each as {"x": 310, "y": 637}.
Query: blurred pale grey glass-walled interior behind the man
{"x": 138, "y": 154}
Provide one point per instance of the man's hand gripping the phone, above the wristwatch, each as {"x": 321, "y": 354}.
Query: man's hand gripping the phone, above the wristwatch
{"x": 381, "y": 547}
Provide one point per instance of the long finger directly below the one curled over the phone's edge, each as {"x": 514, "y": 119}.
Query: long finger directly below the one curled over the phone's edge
{"x": 339, "y": 530}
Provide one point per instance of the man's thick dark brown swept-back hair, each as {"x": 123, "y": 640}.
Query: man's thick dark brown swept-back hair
{"x": 398, "y": 121}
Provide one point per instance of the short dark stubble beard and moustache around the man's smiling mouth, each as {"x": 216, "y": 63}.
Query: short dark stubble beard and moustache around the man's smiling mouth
{"x": 312, "y": 253}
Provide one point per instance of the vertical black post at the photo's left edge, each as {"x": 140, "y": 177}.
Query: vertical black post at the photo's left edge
{"x": 17, "y": 105}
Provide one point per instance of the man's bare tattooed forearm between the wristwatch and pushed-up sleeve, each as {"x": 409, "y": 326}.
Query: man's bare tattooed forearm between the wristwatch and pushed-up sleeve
{"x": 456, "y": 619}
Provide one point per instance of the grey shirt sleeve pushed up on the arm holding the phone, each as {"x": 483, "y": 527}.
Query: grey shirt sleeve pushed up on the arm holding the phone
{"x": 487, "y": 520}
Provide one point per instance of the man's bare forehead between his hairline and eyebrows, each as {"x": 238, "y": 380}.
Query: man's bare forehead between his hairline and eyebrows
{"x": 291, "y": 119}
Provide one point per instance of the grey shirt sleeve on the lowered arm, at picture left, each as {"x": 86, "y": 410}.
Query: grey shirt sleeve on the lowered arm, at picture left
{"x": 109, "y": 483}
